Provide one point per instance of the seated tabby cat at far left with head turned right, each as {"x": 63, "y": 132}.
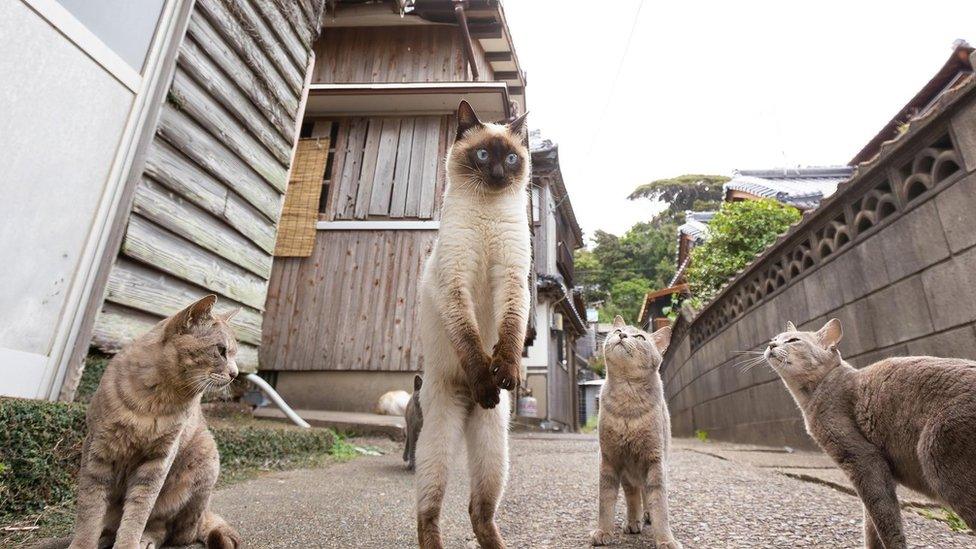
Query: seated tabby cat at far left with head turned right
{"x": 148, "y": 462}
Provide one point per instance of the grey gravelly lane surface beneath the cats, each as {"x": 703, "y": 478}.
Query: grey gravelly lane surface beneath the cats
{"x": 551, "y": 502}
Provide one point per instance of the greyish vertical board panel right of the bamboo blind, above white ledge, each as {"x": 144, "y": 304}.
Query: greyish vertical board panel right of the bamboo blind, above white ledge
{"x": 389, "y": 168}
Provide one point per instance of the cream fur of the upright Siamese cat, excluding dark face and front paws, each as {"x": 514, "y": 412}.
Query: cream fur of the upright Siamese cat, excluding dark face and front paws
{"x": 476, "y": 275}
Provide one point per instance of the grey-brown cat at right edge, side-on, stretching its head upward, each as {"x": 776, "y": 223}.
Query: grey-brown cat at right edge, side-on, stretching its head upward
{"x": 910, "y": 420}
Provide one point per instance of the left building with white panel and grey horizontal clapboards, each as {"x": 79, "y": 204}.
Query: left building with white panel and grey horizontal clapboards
{"x": 145, "y": 150}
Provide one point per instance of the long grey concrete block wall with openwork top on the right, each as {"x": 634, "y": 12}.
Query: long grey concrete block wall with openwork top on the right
{"x": 892, "y": 255}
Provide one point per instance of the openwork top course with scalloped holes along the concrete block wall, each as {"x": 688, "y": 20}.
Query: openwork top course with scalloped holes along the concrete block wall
{"x": 907, "y": 171}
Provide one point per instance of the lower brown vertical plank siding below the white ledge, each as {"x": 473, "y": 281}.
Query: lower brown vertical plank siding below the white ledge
{"x": 350, "y": 306}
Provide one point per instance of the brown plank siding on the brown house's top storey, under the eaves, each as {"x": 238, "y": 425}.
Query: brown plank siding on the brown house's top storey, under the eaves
{"x": 422, "y": 53}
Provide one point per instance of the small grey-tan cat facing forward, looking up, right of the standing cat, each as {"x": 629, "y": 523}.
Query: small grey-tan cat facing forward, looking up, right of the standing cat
{"x": 635, "y": 435}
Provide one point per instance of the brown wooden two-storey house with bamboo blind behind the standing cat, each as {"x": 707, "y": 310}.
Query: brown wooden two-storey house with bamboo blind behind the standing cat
{"x": 339, "y": 327}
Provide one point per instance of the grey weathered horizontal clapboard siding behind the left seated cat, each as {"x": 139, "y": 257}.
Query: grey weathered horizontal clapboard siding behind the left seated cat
{"x": 205, "y": 213}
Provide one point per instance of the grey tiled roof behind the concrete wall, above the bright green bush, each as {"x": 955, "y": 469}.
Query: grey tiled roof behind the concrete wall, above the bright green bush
{"x": 800, "y": 187}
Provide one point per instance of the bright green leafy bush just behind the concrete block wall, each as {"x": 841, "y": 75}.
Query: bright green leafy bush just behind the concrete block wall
{"x": 737, "y": 233}
